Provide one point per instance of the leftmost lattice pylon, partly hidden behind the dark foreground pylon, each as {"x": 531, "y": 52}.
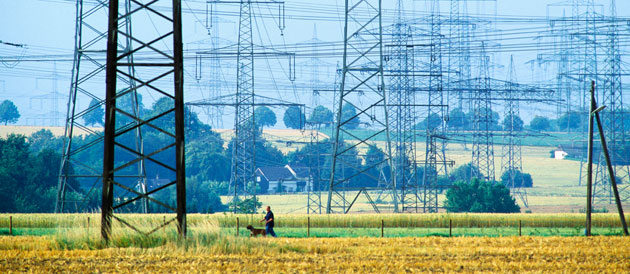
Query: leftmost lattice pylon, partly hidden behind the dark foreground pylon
{"x": 86, "y": 87}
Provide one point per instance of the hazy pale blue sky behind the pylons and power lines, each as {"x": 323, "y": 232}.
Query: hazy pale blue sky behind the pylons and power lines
{"x": 48, "y": 27}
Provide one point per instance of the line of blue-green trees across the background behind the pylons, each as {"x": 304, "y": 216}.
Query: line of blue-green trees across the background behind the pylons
{"x": 29, "y": 165}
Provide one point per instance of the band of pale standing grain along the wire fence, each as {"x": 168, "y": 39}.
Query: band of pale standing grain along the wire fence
{"x": 441, "y": 220}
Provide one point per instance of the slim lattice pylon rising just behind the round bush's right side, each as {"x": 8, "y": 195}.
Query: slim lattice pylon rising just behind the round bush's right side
{"x": 511, "y": 161}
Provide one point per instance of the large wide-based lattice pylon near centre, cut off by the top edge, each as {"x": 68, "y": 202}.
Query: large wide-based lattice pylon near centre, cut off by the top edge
{"x": 362, "y": 75}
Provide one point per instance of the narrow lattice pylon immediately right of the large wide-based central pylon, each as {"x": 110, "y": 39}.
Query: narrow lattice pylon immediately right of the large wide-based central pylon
{"x": 401, "y": 110}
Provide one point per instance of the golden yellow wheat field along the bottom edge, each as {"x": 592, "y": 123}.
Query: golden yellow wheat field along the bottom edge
{"x": 348, "y": 255}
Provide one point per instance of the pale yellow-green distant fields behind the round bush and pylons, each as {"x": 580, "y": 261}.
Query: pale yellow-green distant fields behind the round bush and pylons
{"x": 556, "y": 184}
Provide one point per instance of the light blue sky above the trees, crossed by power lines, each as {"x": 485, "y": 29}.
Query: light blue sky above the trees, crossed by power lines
{"x": 39, "y": 83}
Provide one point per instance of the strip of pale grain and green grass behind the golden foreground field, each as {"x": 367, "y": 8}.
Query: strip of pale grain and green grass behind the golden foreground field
{"x": 352, "y": 225}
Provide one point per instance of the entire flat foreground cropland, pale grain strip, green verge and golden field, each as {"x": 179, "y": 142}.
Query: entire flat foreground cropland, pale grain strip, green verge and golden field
{"x": 338, "y": 243}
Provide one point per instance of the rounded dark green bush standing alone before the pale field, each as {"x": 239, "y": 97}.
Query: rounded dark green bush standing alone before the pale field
{"x": 480, "y": 196}
